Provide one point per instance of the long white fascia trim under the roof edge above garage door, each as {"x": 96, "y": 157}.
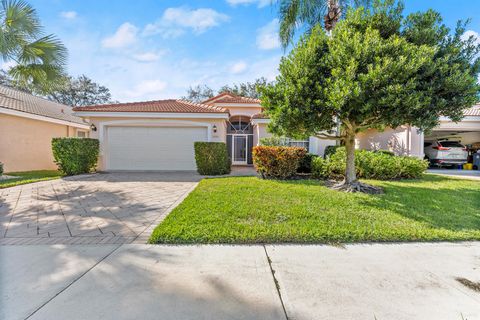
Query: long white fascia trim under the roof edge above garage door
{"x": 157, "y": 115}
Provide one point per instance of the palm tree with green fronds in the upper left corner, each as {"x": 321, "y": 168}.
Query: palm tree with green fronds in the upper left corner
{"x": 39, "y": 60}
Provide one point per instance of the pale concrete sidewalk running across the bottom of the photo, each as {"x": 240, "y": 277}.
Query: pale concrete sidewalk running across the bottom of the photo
{"x": 377, "y": 281}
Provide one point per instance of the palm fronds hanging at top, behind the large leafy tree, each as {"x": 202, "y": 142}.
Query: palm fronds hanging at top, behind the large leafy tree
{"x": 296, "y": 13}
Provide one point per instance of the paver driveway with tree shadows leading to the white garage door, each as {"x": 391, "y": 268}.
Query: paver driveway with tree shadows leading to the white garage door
{"x": 97, "y": 209}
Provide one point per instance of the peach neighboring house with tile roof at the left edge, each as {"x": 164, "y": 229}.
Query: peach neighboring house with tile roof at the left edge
{"x": 27, "y": 126}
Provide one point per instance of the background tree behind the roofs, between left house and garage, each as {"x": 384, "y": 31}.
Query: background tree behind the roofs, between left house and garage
{"x": 81, "y": 91}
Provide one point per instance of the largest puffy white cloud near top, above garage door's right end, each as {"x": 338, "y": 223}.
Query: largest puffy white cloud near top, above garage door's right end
{"x": 175, "y": 21}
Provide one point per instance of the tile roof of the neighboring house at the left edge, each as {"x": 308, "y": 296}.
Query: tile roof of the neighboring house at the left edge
{"x": 21, "y": 101}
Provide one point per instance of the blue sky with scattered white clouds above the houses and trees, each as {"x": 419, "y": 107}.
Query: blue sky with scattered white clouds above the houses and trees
{"x": 156, "y": 49}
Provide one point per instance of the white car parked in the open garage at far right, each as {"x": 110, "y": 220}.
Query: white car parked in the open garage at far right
{"x": 445, "y": 153}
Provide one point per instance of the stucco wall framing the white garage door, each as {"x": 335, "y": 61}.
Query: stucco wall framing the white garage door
{"x": 218, "y": 136}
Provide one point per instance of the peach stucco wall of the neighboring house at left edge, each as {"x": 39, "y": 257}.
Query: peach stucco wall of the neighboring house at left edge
{"x": 25, "y": 144}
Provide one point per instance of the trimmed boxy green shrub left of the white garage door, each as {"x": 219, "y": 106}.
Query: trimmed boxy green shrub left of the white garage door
{"x": 75, "y": 155}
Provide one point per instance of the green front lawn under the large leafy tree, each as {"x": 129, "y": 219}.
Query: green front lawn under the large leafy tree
{"x": 251, "y": 210}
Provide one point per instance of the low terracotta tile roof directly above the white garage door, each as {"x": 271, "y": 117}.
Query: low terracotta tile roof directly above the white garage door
{"x": 163, "y": 106}
